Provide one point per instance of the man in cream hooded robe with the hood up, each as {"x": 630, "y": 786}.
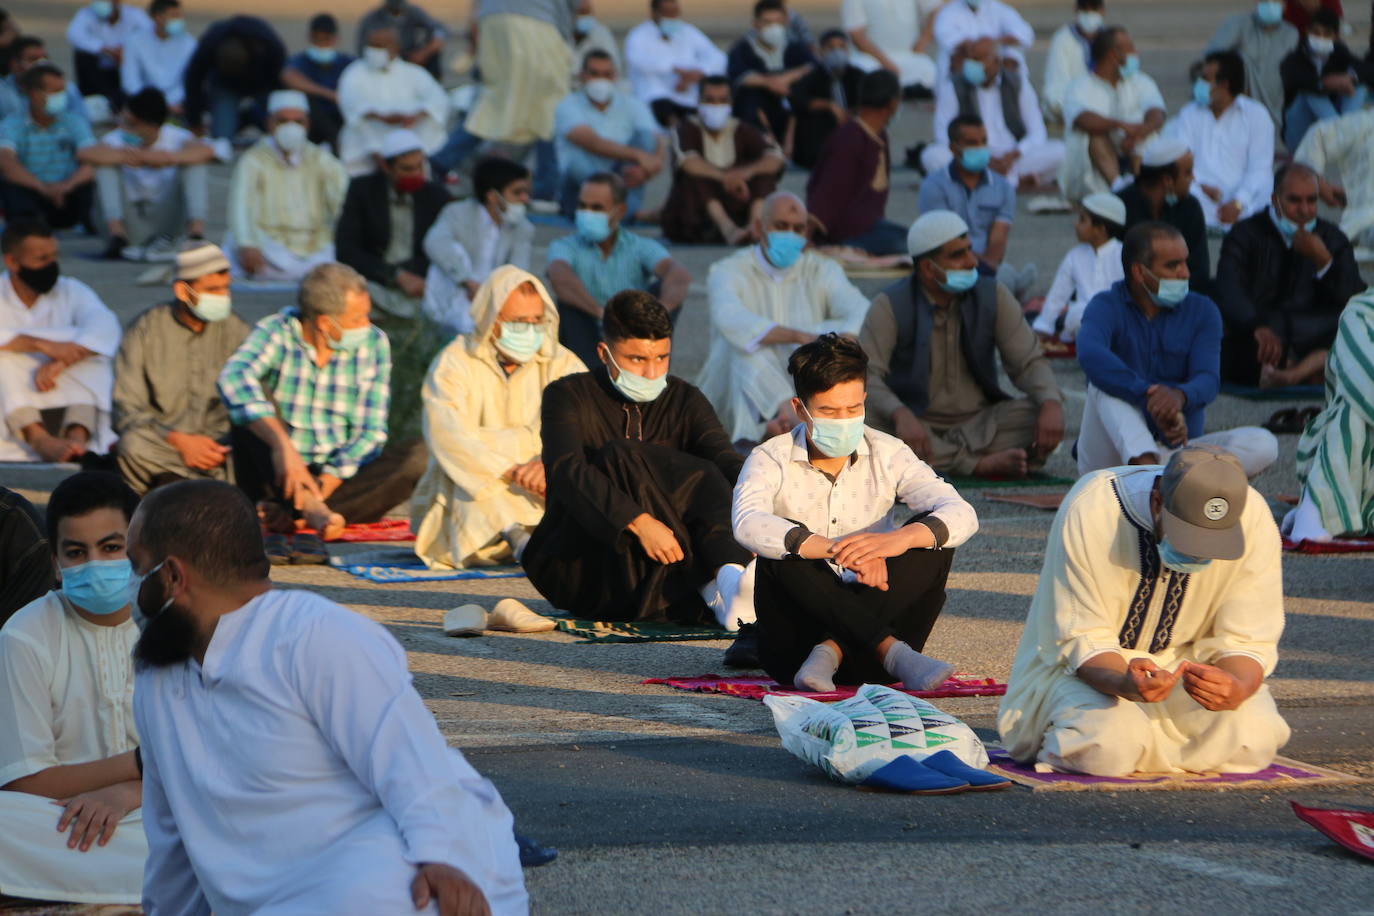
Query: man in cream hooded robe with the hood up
{"x": 484, "y": 490}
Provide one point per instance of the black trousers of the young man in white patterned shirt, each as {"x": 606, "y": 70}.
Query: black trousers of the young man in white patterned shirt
{"x": 803, "y": 604}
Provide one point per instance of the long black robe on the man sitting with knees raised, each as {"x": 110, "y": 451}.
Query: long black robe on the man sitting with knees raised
{"x": 609, "y": 461}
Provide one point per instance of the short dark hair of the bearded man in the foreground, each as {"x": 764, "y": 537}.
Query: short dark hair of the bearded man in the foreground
{"x": 208, "y": 524}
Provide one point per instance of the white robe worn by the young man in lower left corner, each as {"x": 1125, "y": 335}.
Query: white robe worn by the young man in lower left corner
{"x": 67, "y": 697}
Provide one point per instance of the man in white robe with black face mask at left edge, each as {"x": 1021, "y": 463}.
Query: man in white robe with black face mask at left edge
{"x": 56, "y": 371}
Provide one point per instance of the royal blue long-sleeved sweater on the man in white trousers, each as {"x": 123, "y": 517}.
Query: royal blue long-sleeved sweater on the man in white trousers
{"x": 1123, "y": 354}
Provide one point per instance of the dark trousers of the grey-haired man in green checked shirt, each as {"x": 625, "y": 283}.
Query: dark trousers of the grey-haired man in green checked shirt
{"x": 379, "y": 487}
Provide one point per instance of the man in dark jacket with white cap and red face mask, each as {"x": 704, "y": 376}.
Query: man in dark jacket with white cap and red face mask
{"x": 381, "y": 231}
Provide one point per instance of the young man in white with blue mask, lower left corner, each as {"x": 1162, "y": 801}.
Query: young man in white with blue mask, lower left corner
{"x": 67, "y": 713}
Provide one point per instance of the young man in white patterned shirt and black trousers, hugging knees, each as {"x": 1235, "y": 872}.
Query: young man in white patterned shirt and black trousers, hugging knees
{"x": 843, "y": 593}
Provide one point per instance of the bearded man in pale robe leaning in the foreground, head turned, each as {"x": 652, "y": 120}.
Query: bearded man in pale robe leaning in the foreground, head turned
{"x": 399, "y": 822}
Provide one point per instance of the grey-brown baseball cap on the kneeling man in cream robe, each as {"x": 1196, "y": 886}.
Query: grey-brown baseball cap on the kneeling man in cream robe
{"x": 1204, "y": 491}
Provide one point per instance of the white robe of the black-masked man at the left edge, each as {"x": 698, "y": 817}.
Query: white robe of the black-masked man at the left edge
{"x": 69, "y": 312}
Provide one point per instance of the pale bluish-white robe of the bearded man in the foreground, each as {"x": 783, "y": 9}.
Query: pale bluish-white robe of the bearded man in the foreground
{"x": 297, "y": 771}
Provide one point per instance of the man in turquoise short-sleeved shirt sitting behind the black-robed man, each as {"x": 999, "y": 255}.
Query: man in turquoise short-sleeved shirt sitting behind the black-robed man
{"x": 602, "y": 259}
